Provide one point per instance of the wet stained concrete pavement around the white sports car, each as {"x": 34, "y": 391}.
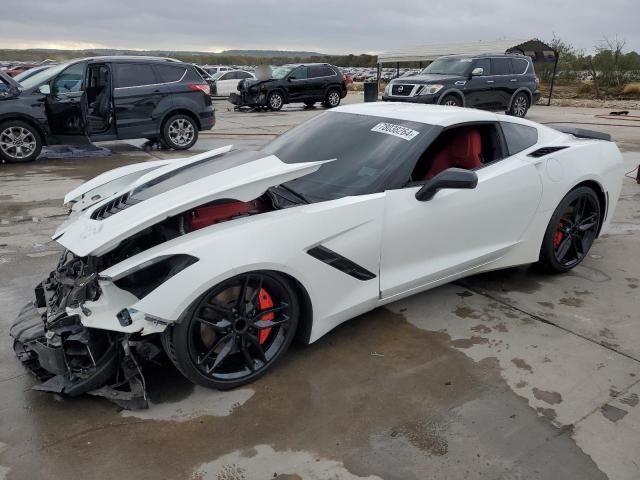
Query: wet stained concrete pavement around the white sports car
{"x": 514, "y": 374}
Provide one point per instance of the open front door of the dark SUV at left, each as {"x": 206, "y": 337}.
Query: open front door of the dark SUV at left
{"x": 66, "y": 106}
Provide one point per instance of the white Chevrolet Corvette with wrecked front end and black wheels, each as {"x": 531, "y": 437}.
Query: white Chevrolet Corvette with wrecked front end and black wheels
{"x": 222, "y": 258}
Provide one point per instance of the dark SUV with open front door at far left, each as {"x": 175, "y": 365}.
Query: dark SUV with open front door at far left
{"x": 104, "y": 98}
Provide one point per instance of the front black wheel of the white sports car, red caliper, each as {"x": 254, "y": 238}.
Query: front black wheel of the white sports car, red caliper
{"x": 242, "y": 354}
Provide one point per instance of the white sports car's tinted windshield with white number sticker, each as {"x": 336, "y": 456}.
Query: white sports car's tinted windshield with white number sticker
{"x": 366, "y": 149}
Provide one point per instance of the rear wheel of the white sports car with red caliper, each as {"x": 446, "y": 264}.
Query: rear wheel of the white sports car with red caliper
{"x": 571, "y": 231}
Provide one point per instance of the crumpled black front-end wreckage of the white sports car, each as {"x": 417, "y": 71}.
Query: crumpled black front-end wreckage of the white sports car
{"x": 51, "y": 340}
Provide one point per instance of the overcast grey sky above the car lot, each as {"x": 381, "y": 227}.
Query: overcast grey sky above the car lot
{"x": 328, "y": 26}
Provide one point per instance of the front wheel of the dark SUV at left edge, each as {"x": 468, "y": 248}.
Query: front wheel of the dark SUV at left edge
{"x": 20, "y": 142}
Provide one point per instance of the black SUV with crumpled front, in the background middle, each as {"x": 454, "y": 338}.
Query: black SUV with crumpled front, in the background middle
{"x": 308, "y": 84}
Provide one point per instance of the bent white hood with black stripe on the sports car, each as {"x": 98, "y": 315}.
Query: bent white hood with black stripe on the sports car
{"x": 173, "y": 189}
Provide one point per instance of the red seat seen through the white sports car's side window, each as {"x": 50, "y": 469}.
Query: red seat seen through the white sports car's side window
{"x": 463, "y": 151}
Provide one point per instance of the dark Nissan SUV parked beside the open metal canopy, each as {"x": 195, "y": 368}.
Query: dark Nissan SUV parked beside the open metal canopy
{"x": 501, "y": 82}
